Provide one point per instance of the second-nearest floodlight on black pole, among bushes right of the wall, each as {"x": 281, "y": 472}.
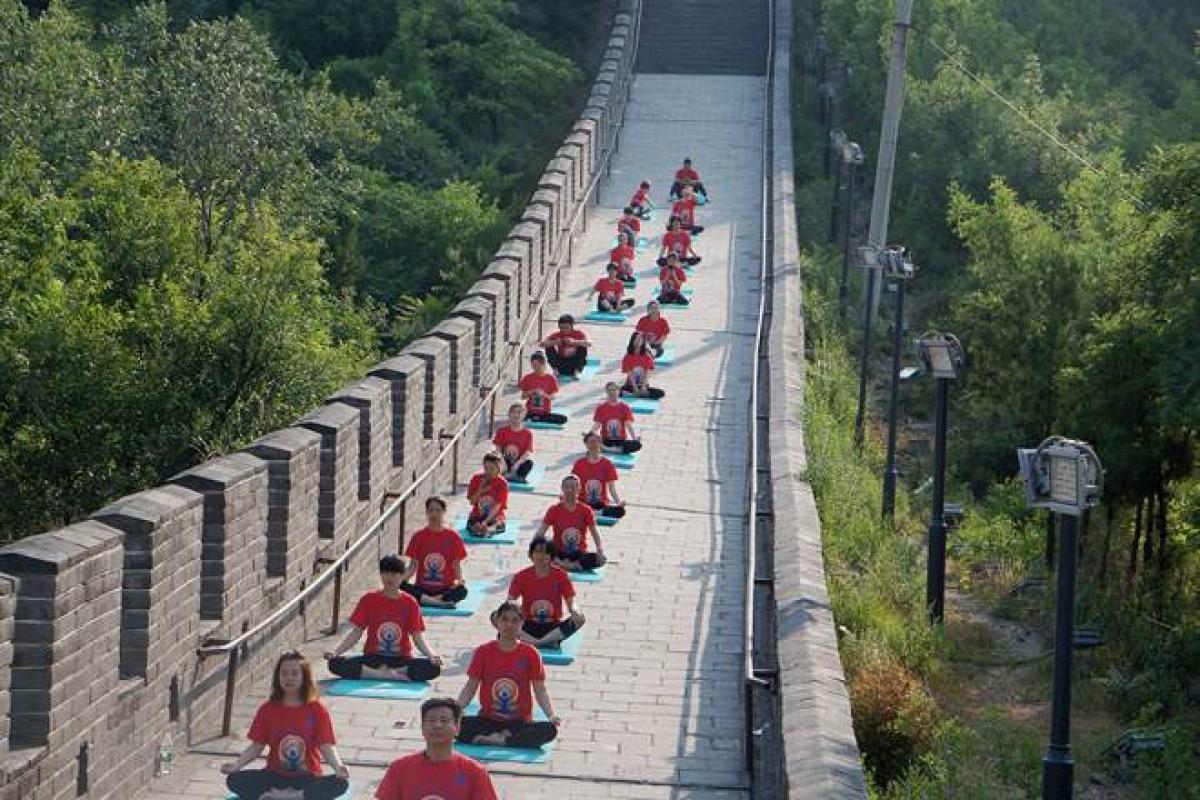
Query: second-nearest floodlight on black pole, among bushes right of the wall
{"x": 943, "y": 357}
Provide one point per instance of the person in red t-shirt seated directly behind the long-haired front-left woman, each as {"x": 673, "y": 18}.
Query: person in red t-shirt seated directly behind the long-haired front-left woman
{"x": 391, "y": 618}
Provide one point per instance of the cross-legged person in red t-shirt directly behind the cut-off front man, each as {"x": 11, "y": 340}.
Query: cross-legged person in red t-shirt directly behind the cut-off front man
{"x": 508, "y": 675}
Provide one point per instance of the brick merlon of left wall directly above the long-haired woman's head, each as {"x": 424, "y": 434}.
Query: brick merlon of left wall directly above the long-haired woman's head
{"x": 293, "y": 488}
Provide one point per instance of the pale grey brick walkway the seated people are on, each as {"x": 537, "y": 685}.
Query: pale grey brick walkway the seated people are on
{"x": 653, "y": 706}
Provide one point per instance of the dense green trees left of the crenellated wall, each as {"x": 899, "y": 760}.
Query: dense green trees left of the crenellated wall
{"x": 214, "y": 213}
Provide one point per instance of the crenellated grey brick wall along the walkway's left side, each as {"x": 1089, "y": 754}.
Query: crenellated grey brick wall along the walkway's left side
{"x": 100, "y": 622}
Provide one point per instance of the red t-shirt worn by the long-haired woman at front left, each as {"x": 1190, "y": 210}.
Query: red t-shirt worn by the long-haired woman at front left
{"x": 295, "y": 736}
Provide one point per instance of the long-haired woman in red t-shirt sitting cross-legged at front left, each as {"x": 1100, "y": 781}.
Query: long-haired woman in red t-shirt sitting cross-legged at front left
{"x": 296, "y": 726}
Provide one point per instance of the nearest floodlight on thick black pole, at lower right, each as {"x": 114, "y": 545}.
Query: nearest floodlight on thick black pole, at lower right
{"x": 1066, "y": 478}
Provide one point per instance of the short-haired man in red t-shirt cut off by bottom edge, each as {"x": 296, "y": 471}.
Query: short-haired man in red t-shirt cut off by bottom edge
{"x": 437, "y": 772}
